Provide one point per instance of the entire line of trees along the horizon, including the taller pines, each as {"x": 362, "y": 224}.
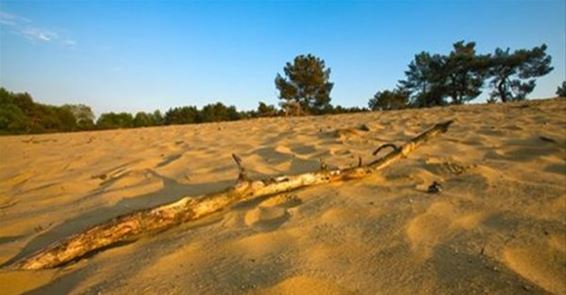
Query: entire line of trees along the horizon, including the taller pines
{"x": 304, "y": 89}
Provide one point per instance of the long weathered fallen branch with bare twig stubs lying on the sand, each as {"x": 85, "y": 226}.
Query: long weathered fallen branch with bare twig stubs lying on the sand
{"x": 132, "y": 226}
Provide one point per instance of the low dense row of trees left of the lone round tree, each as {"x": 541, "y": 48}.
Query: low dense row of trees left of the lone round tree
{"x": 19, "y": 114}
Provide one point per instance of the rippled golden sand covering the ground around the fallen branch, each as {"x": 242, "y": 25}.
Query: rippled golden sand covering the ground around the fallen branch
{"x": 498, "y": 226}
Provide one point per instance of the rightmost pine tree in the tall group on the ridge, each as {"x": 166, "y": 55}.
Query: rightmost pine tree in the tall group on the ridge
{"x": 513, "y": 74}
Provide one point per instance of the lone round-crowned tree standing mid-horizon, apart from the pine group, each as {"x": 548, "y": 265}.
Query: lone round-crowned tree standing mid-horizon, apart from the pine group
{"x": 306, "y": 83}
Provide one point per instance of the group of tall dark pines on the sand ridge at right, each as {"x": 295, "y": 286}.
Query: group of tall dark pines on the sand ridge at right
{"x": 461, "y": 75}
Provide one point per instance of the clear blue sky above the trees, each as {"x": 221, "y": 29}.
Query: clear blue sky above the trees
{"x": 138, "y": 55}
